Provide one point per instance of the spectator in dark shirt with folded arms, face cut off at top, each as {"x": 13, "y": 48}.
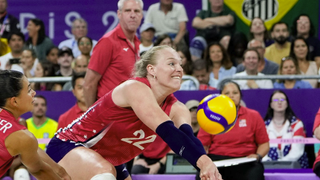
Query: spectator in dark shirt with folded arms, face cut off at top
{"x": 215, "y": 23}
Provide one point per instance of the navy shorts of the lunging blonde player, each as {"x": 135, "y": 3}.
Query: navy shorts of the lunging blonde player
{"x": 57, "y": 149}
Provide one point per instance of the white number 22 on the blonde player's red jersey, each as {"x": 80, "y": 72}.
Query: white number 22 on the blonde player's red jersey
{"x": 140, "y": 140}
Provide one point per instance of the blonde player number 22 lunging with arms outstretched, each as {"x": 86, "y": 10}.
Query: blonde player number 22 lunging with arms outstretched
{"x": 121, "y": 124}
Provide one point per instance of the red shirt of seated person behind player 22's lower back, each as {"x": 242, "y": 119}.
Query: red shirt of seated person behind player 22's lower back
{"x": 67, "y": 117}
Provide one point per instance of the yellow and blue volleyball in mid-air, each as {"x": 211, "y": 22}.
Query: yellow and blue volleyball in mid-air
{"x": 216, "y": 114}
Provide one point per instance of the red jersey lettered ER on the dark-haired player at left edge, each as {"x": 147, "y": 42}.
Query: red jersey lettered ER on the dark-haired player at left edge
{"x": 8, "y": 125}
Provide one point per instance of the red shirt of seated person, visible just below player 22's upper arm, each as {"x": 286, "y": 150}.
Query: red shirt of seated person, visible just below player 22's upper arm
{"x": 157, "y": 150}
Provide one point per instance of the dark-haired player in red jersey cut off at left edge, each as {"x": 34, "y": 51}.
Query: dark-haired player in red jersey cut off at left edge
{"x": 16, "y": 98}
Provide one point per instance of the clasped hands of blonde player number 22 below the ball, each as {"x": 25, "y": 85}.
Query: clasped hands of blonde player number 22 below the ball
{"x": 208, "y": 170}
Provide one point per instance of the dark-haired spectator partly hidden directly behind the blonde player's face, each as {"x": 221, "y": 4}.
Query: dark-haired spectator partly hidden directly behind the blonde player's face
{"x": 186, "y": 64}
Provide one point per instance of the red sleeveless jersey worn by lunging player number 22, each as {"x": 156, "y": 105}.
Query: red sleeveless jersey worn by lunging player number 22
{"x": 114, "y": 132}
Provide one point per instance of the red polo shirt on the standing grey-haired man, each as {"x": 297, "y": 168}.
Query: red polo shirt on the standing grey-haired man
{"x": 113, "y": 58}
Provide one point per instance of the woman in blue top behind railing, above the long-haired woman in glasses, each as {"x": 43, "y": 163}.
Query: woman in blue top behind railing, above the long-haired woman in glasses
{"x": 289, "y": 66}
